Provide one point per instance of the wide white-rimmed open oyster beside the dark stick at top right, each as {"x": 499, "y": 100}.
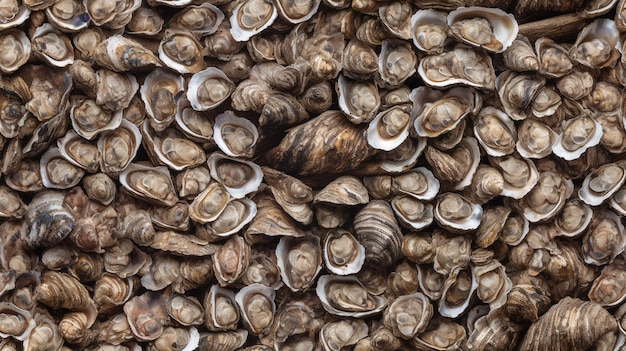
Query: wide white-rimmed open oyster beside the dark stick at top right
{"x": 490, "y": 29}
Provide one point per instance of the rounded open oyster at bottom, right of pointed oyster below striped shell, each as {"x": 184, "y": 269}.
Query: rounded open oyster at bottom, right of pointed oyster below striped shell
{"x": 408, "y": 315}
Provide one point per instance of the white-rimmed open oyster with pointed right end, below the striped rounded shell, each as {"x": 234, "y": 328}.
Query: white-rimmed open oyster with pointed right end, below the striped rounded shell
{"x": 346, "y": 296}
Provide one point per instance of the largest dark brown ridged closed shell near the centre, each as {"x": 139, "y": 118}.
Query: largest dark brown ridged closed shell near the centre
{"x": 328, "y": 143}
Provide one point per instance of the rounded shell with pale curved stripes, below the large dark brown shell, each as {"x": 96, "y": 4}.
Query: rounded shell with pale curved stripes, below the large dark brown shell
{"x": 377, "y": 229}
